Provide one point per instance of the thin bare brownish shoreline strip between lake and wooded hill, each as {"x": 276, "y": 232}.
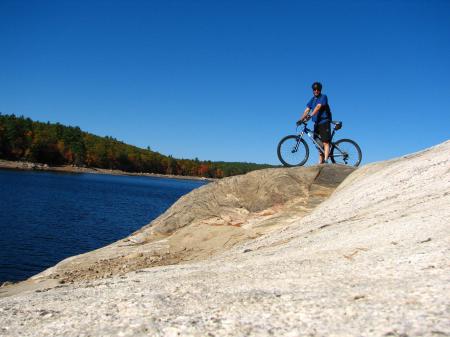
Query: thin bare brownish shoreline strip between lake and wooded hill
{"x": 29, "y": 166}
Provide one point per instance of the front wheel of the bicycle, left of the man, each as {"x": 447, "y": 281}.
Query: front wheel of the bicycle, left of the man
{"x": 293, "y": 151}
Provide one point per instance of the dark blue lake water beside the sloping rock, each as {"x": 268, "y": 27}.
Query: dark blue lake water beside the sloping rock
{"x": 46, "y": 217}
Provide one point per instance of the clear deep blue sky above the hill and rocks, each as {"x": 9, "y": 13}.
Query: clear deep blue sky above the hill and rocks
{"x": 225, "y": 80}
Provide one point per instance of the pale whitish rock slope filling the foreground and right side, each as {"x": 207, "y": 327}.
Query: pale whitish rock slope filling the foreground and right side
{"x": 372, "y": 260}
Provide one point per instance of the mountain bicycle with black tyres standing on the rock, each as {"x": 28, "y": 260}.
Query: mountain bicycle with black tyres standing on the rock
{"x": 293, "y": 150}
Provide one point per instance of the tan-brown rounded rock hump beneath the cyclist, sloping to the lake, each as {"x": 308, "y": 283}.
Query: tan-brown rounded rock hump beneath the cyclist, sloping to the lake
{"x": 209, "y": 220}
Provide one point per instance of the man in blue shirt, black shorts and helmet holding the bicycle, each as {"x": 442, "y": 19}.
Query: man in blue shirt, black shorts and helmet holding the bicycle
{"x": 321, "y": 116}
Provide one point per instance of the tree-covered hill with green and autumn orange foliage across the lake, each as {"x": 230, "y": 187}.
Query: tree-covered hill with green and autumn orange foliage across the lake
{"x": 56, "y": 144}
